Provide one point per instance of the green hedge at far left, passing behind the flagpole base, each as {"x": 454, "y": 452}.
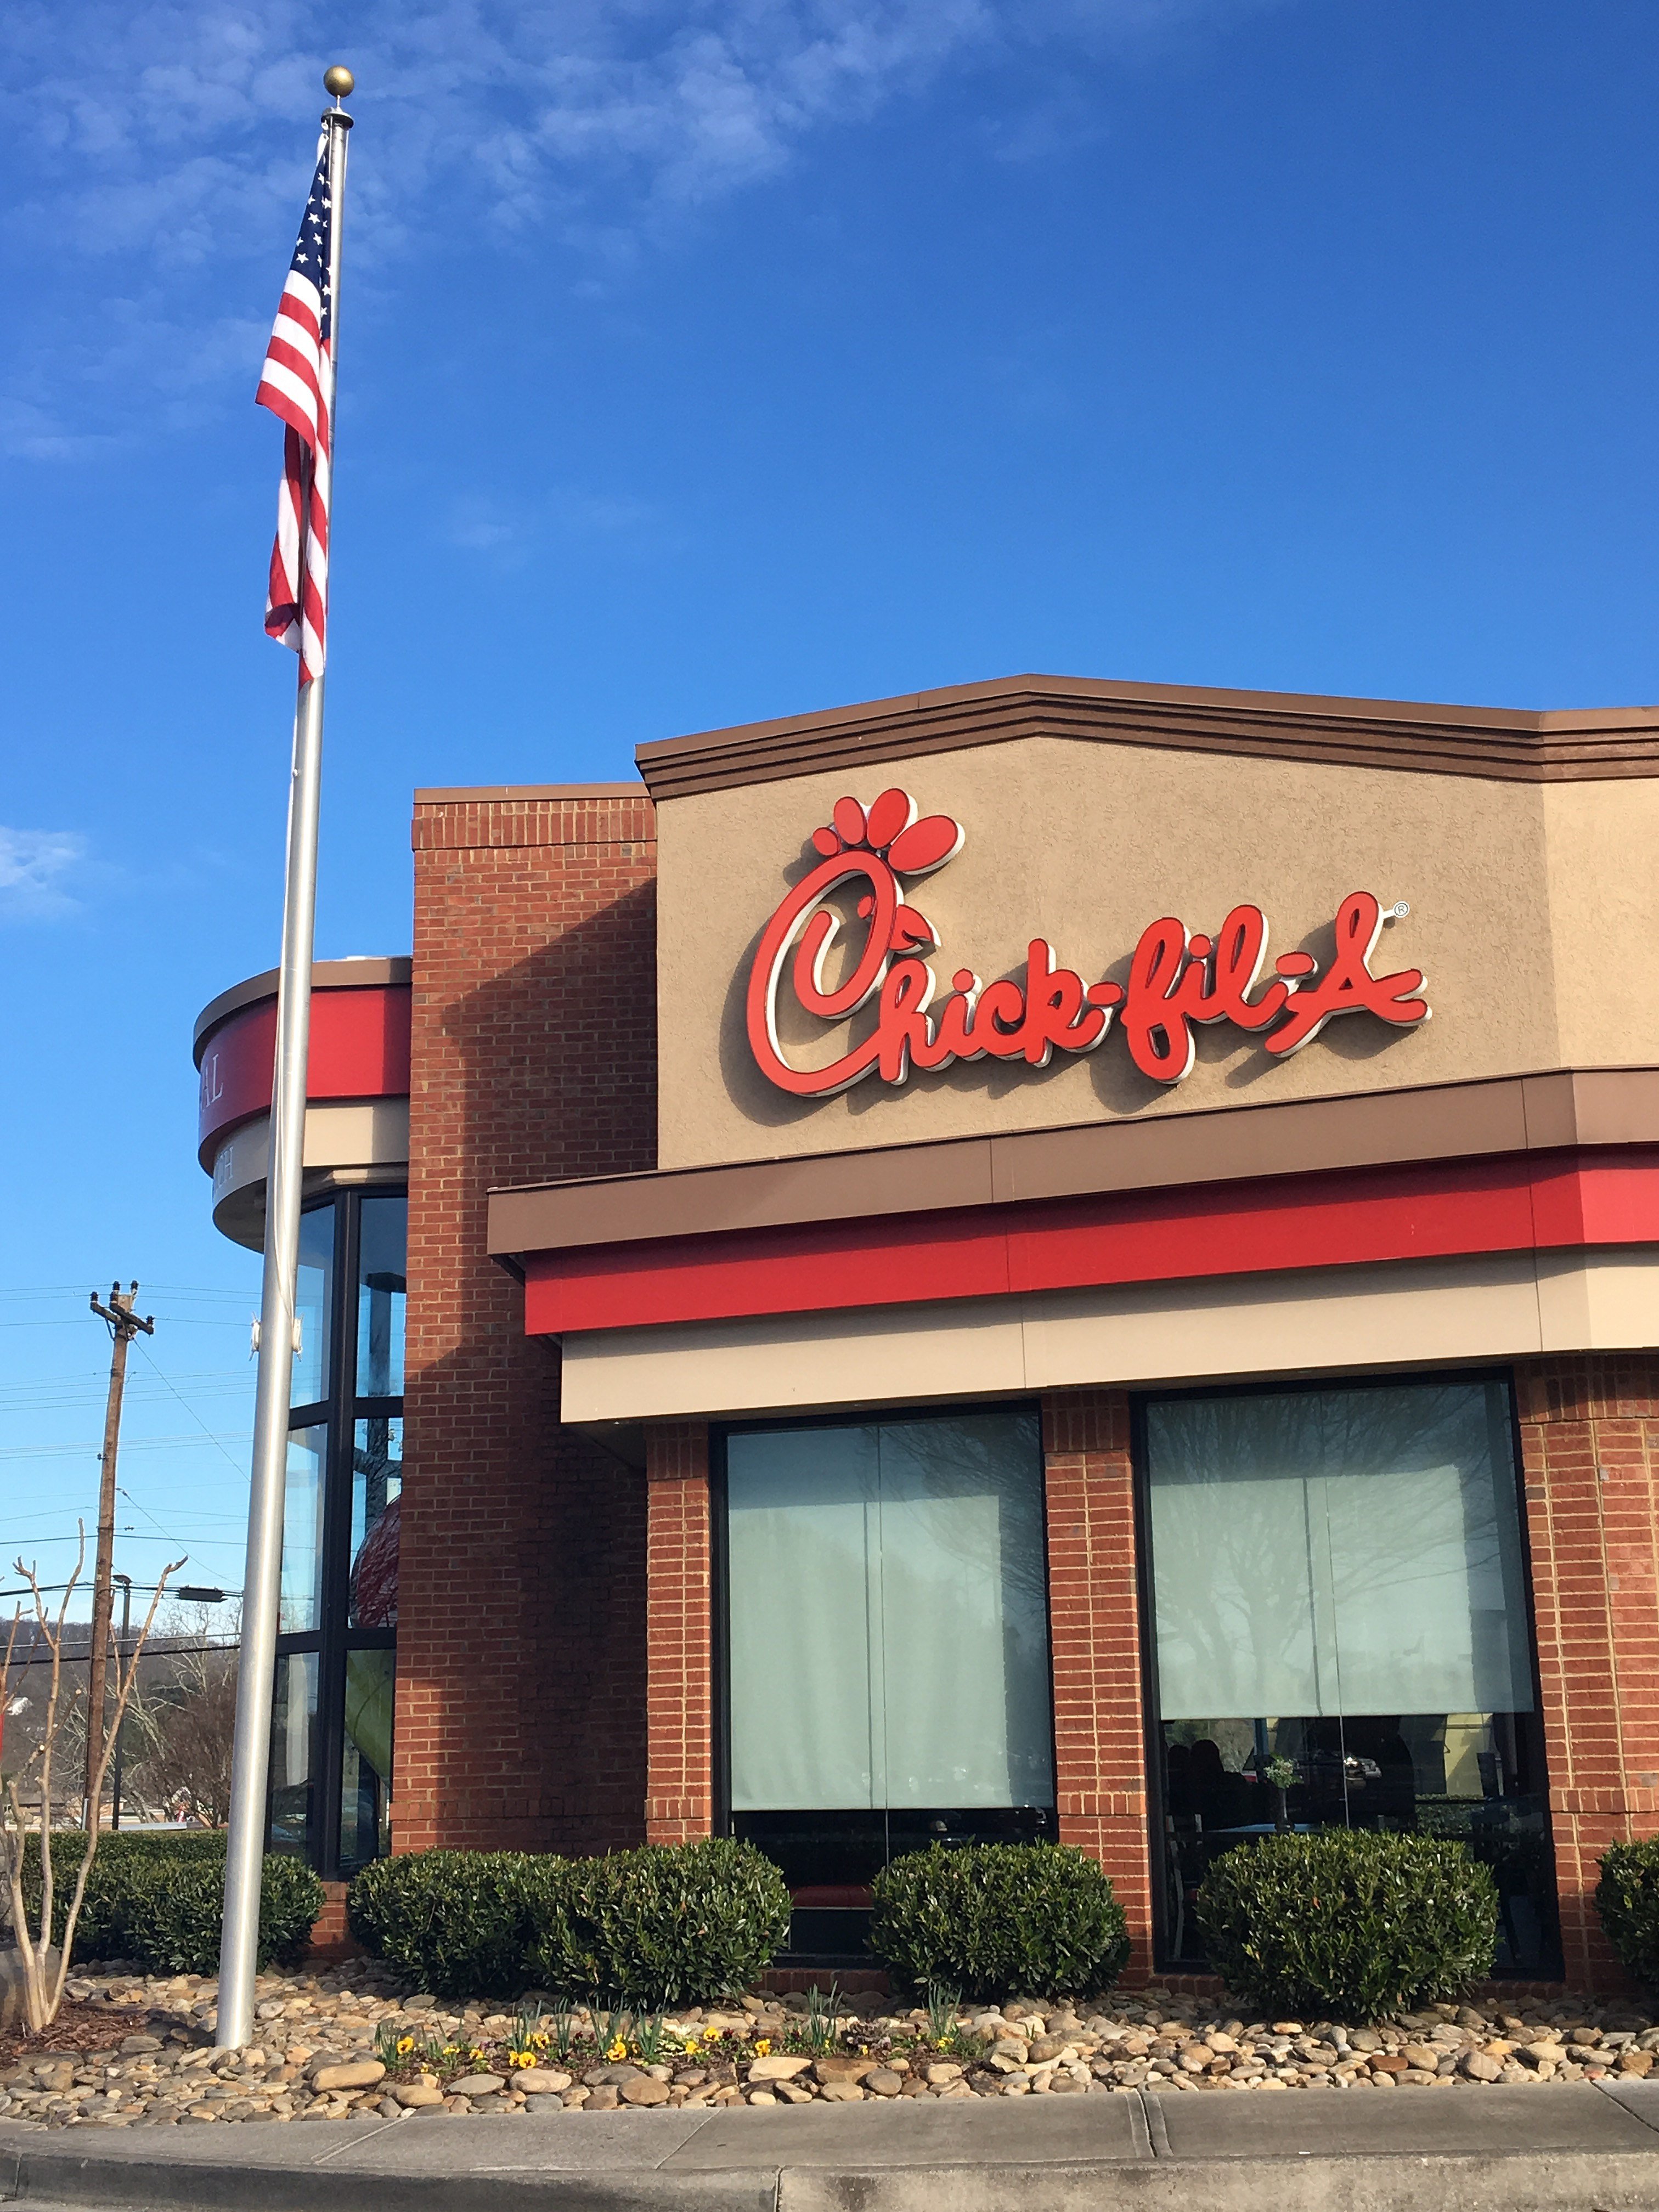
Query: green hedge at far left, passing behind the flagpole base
{"x": 160, "y": 1899}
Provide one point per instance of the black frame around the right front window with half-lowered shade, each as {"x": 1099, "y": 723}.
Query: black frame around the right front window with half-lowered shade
{"x": 1145, "y": 1594}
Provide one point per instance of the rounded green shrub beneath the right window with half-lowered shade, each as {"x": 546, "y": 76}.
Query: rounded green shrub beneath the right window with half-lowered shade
{"x": 1348, "y": 1926}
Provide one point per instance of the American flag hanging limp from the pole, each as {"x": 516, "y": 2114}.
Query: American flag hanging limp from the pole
{"x": 298, "y": 384}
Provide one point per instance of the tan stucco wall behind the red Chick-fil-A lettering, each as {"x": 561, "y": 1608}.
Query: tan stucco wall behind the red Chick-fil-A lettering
{"x": 1532, "y": 912}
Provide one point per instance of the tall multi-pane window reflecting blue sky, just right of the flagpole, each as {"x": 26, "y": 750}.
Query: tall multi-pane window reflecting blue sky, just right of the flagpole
{"x": 331, "y": 1757}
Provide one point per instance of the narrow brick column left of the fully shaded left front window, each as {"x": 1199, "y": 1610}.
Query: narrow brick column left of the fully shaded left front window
{"x": 680, "y": 1636}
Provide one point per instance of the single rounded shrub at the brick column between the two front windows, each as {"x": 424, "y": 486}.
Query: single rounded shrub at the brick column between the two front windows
{"x": 997, "y": 1917}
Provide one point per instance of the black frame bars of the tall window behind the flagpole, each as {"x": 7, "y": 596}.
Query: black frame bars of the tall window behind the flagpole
{"x": 333, "y": 1638}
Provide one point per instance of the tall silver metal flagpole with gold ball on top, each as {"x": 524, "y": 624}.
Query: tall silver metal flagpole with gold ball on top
{"x": 284, "y": 1185}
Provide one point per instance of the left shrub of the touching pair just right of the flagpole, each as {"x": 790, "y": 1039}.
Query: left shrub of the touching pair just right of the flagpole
{"x": 459, "y": 1923}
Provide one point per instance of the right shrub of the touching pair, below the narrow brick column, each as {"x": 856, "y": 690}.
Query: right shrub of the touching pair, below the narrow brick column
{"x": 667, "y": 1926}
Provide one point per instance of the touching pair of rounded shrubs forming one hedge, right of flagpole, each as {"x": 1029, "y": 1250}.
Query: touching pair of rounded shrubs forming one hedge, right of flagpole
{"x": 667, "y": 1926}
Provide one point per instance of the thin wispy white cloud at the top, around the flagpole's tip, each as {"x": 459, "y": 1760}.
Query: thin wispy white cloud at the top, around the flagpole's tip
{"x": 174, "y": 136}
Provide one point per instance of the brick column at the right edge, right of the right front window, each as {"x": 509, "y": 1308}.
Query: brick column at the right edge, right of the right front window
{"x": 1592, "y": 1470}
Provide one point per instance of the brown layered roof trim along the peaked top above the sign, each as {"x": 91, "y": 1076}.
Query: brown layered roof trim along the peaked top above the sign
{"x": 1501, "y": 744}
